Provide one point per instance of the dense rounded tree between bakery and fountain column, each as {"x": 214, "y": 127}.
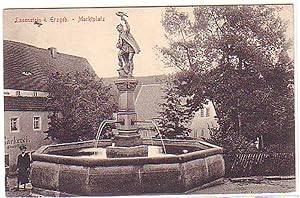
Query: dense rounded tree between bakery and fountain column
{"x": 78, "y": 102}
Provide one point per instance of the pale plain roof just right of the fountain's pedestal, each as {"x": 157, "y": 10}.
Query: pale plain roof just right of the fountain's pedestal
{"x": 148, "y": 100}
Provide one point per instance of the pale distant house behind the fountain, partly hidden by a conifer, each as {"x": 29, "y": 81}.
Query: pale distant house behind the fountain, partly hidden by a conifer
{"x": 147, "y": 107}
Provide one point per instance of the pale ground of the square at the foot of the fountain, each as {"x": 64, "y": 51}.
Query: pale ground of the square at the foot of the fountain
{"x": 264, "y": 186}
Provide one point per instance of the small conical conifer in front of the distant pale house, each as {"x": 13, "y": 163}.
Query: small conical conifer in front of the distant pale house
{"x": 174, "y": 115}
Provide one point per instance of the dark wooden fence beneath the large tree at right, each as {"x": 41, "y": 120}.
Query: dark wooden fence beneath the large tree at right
{"x": 255, "y": 164}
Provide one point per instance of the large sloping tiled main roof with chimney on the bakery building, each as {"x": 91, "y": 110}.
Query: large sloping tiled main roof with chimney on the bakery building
{"x": 27, "y": 67}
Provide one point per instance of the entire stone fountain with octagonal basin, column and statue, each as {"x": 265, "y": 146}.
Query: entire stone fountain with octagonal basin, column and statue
{"x": 125, "y": 165}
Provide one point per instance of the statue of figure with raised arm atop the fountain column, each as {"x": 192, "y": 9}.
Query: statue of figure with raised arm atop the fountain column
{"x": 128, "y": 48}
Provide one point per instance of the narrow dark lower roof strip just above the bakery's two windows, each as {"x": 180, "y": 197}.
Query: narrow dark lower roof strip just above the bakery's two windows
{"x": 25, "y": 103}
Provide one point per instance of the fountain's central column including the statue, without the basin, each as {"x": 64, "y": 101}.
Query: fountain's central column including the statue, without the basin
{"x": 127, "y": 142}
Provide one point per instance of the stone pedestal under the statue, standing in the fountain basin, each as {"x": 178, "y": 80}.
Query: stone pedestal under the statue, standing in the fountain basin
{"x": 127, "y": 141}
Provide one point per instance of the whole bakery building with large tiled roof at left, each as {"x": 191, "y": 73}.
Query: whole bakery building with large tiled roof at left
{"x": 26, "y": 72}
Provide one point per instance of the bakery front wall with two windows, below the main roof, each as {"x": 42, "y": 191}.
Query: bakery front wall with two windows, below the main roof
{"x": 25, "y": 122}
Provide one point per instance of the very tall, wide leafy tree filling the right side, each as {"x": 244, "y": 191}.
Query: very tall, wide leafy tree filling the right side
{"x": 236, "y": 56}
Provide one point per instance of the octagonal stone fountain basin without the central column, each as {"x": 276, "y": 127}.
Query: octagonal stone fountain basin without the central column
{"x": 77, "y": 168}
